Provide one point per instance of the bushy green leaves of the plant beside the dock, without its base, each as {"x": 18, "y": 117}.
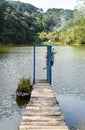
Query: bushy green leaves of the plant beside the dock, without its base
{"x": 24, "y": 85}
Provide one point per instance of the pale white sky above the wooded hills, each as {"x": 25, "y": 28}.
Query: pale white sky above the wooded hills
{"x": 45, "y": 4}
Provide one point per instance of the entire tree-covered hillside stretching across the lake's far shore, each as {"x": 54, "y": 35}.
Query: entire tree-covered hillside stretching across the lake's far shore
{"x": 22, "y": 23}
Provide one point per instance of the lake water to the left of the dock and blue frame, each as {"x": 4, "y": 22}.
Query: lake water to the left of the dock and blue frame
{"x": 13, "y": 65}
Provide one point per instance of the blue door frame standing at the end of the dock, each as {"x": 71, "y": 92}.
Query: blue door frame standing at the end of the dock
{"x": 49, "y": 62}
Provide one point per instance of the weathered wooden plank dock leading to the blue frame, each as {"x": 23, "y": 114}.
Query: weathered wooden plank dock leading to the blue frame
{"x": 43, "y": 112}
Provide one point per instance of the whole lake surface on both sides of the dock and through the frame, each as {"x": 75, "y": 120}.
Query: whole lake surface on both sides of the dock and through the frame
{"x": 68, "y": 82}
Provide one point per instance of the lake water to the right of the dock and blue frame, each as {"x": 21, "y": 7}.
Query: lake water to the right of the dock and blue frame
{"x": 69, "y": 84}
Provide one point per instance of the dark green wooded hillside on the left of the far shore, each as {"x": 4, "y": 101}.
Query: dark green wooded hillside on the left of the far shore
{"x": 18, "y": 22}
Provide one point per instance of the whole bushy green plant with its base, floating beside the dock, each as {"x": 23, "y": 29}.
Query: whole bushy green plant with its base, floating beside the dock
{"x": 24, "y": 87}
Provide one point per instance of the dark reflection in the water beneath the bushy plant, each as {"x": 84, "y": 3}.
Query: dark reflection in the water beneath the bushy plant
{"x": 22, "y": 100}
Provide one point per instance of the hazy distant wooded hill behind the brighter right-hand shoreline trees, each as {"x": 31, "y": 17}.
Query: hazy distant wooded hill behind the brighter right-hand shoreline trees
{"x": 57, "y": 18}
